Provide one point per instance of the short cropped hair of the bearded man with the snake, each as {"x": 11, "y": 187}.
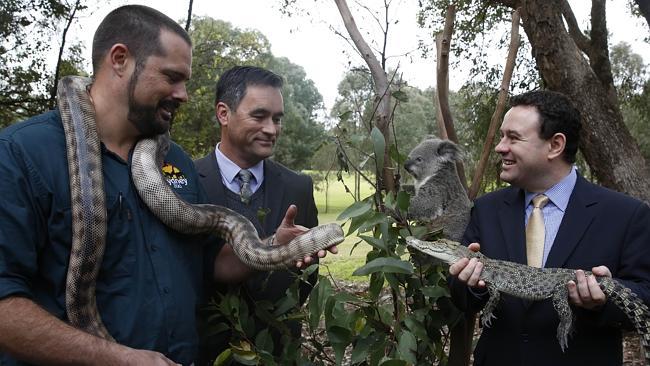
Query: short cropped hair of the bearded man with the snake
{"x": 136, "y": 26}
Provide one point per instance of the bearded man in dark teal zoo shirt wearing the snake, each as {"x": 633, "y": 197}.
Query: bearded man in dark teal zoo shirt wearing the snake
{"x": 150, "y": 277}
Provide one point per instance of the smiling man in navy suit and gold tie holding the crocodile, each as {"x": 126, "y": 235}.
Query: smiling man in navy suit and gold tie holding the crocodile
{"x": 584, "y": 227}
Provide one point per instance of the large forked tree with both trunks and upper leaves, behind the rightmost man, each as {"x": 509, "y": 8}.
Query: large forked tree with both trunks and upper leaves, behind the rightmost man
{"x": 555, "y": 39}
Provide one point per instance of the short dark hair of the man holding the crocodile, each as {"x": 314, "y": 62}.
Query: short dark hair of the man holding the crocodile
{"x": 557, "y": 115}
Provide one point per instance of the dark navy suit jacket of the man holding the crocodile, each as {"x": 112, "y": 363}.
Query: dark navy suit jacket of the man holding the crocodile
{"x": 600, "y": 227}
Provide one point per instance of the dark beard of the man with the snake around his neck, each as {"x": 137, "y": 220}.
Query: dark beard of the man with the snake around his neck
{"x": 145, "y": 117}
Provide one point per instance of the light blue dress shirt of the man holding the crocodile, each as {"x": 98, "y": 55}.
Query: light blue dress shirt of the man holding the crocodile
{"x": 554, "y": 210}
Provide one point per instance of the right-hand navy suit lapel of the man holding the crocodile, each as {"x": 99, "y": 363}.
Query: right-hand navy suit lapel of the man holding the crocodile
{"x": 577, "y": 218}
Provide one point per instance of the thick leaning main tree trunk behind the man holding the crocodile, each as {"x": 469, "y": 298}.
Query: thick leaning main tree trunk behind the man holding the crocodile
{"x": 611, "y": 152}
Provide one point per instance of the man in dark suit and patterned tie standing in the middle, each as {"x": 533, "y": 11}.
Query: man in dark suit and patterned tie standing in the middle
{"x": 249, "y": 108}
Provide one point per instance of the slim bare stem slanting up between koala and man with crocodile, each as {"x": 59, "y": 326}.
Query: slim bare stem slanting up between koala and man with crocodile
{"x": 501, "y": 102}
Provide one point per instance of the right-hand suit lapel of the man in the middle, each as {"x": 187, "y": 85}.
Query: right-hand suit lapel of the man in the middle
{"x": 273, "y": 196}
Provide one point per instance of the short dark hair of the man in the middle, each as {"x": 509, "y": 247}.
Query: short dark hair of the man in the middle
{"x": 231, "y": 87}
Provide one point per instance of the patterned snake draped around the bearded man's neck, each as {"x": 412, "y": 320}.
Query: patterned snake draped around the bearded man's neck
{"x": 89, "y": 209}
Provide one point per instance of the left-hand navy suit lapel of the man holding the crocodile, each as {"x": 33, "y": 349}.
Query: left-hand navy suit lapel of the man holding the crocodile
{"x": 511, "y": 218}
